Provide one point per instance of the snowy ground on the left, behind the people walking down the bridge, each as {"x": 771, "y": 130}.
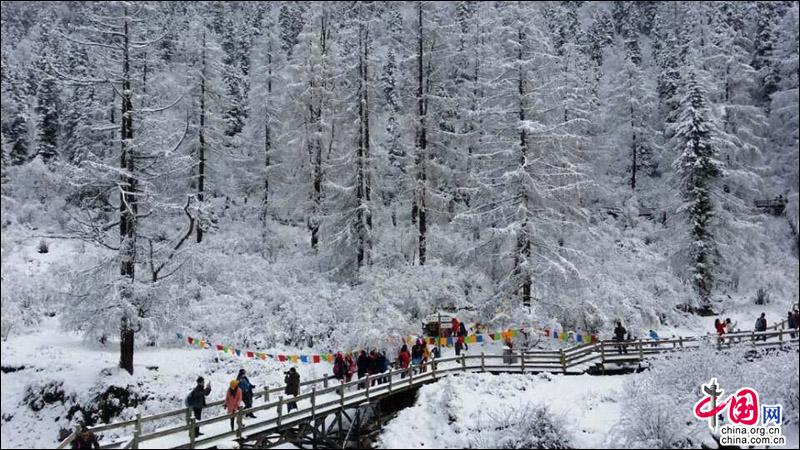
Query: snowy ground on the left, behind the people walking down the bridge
{"x": 165, "y": 375}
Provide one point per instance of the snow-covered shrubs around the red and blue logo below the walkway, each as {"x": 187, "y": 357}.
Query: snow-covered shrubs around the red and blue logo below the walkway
{"x": 657, "y": 405}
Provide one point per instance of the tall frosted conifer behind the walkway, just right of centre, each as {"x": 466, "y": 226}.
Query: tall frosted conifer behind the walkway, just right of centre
{"x": 530, "y": 164}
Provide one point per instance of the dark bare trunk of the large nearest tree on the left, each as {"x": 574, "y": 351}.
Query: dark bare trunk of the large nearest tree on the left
{"x": 128, "y": 209}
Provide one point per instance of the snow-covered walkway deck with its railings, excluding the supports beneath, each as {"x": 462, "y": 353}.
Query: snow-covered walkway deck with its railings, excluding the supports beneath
{"x": 172, "y": 429}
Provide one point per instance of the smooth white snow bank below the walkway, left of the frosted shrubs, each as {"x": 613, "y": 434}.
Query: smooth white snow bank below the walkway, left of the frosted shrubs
{"x": 458, "y": 411}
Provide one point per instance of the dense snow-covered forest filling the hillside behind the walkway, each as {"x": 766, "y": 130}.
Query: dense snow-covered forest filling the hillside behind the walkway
{"x": 322, "y": 175}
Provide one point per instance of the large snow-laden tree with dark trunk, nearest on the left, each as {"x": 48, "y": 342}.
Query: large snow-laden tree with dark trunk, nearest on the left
{"x": 137, "y": 173}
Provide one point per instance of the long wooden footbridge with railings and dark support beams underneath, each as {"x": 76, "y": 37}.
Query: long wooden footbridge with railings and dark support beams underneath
{"x": 326, "y": 407}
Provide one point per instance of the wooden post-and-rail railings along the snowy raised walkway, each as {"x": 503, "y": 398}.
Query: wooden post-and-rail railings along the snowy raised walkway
{"x": 573, "y": 360}
